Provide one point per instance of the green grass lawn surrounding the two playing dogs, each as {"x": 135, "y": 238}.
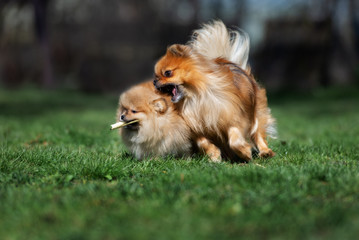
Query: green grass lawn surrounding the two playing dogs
{"x": 64, "y": 175}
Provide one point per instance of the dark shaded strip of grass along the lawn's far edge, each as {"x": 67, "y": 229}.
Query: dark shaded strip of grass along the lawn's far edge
{"x": 32, "y": 103}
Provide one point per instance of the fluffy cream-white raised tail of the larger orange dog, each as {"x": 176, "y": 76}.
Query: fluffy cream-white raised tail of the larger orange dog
{"x": 214, "y": 40}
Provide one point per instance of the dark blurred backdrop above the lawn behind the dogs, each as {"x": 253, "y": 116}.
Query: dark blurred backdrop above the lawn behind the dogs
{"x": 107, "y": 46}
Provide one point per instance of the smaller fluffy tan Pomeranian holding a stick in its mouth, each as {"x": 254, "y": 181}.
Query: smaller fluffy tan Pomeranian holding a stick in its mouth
{"x": 161, "y": 130}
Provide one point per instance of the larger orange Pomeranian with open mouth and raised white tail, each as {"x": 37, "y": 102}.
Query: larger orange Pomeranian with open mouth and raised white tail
{"x": 210, "y": 83}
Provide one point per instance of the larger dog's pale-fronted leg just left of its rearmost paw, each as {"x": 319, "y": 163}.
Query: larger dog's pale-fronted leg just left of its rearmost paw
{"x": 238, "y": 144}
